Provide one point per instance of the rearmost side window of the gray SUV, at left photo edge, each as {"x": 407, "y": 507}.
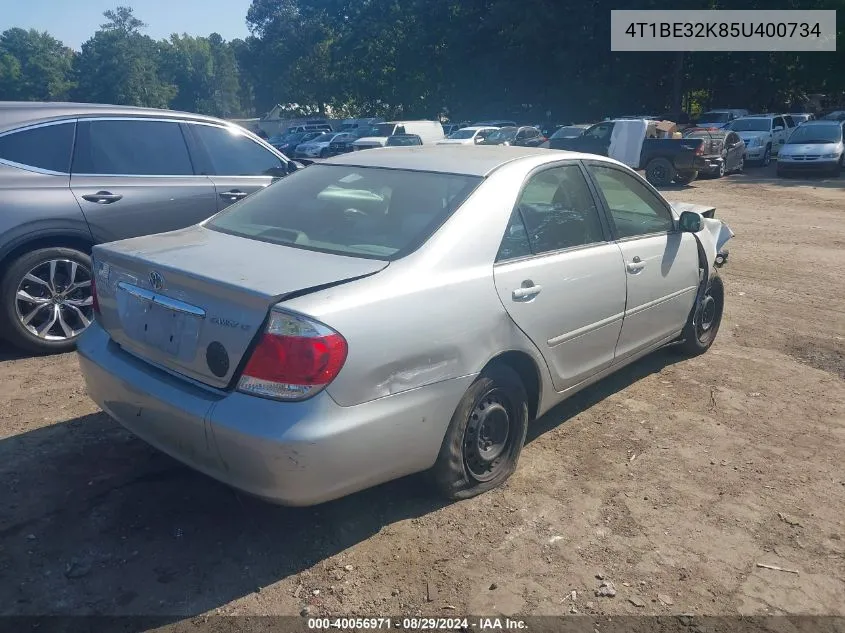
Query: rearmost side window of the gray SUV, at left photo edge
{"x": 46, "y": 147}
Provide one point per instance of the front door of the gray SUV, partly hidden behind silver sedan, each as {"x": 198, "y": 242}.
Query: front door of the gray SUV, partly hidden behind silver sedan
{"x": 236, "y": 164}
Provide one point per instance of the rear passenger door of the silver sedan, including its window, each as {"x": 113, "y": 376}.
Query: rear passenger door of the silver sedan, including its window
{"x": 559, "y": 276}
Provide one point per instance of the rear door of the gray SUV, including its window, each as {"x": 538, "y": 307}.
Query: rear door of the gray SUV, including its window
{"x": 134, "y": 176}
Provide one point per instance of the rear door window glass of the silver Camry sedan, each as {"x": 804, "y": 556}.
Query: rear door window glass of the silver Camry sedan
{"x": 559, "y": 211}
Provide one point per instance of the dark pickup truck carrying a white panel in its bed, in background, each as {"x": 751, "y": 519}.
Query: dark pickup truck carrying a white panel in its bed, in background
{"x": 665, "y": 160}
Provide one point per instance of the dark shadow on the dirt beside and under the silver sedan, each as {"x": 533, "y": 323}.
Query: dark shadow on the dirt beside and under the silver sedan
{"x": 93, "y": 521}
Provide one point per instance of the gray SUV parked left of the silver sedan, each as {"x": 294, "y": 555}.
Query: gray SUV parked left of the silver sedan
{"x": 75, "y": 175}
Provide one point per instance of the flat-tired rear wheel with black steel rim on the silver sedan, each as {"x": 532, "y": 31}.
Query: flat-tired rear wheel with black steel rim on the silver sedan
{"x": 496, "y": 397}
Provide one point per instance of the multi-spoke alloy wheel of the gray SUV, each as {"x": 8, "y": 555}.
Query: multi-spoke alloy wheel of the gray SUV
{"x": 54, "y": 301}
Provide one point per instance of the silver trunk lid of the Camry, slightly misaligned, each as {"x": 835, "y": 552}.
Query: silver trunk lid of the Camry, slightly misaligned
{"x": 192, "y": 301}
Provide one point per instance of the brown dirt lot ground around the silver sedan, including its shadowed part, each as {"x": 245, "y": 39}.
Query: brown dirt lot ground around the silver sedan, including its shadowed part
{"x": 674, "y": 478}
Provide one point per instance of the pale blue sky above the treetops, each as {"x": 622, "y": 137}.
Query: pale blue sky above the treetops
{"x": 74, "y": 21}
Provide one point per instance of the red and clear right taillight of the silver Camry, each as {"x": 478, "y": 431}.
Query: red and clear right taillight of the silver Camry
{"x": 296, "y": 358}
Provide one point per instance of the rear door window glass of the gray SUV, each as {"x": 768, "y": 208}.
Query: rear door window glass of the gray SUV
{"x": 132, "y": 148}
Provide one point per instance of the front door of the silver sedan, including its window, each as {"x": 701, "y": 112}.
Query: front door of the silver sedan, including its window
{"x": 661, "y": 263}
